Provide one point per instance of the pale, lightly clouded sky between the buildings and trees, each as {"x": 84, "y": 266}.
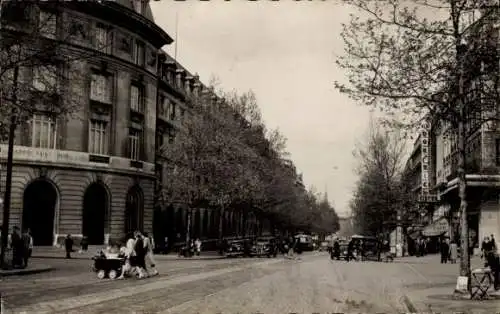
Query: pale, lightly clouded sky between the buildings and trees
{"x": 285, "y": 52}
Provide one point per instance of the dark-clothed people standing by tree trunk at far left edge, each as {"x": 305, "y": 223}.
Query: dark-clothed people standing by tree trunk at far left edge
{"x": 20, "y": 245}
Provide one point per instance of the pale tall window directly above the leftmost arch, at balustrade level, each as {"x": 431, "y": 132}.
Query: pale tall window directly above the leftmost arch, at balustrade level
{"x": 43, "y": 132}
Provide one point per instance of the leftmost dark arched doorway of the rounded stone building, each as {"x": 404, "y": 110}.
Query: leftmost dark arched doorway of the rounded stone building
{"x": 39, "y": 208}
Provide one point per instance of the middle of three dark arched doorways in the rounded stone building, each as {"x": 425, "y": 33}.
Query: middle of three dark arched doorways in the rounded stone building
{"x": 95, "y": 213}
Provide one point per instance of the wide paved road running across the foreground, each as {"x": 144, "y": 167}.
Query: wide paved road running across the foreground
{"x": 313, "y": 284}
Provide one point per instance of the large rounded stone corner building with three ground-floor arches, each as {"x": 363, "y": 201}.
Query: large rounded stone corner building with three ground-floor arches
{"x": 92, "y": 173}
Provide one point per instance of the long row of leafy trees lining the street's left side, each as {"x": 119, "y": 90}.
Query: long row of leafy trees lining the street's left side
{"x": 223, "y": 158}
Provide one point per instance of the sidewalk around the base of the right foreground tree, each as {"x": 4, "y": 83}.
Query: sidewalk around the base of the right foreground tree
{"x": 433, "y": 293}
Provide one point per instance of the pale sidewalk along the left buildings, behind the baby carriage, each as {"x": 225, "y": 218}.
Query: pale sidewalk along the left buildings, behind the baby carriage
{"x": 49, "y": 252}
